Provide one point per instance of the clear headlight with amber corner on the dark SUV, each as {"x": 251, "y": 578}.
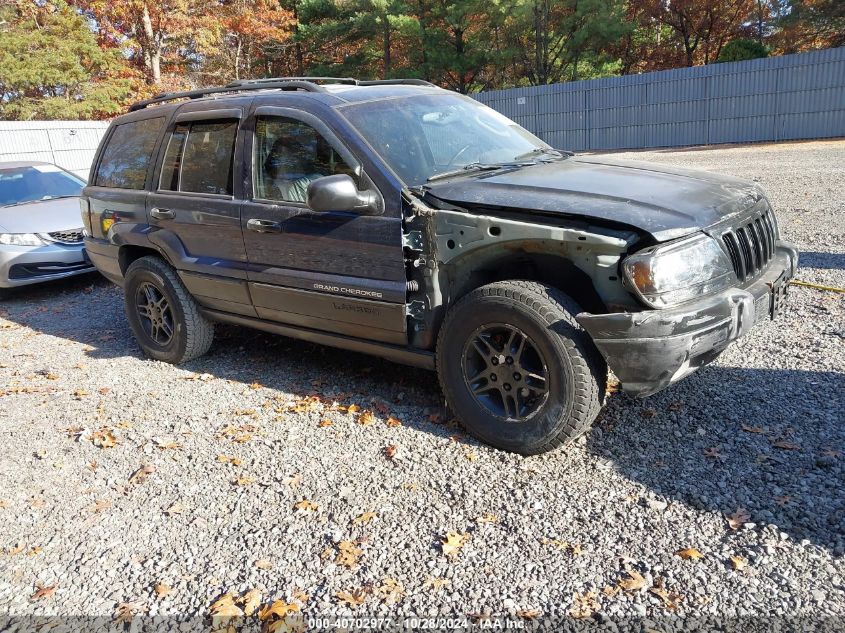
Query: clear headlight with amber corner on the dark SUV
{"x": 669, "y": 274}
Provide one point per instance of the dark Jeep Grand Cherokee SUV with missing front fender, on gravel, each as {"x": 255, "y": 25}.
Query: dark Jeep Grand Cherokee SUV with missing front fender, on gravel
{"x": 399, "y": 219}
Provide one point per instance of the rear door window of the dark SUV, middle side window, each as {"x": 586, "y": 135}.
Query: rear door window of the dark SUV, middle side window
{"x": 199, "y": 158}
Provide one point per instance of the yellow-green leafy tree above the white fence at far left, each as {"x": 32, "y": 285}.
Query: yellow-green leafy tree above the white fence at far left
{"x": 51, "y": 66}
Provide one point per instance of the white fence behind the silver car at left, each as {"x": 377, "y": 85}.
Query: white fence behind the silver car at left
{"x": 68, "y": 144}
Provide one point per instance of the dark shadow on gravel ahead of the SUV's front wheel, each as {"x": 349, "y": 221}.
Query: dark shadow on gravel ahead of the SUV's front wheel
{"x": 767, "y": 440}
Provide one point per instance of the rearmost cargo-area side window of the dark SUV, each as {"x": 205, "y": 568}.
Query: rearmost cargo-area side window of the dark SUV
{"x": 127, "y": 156}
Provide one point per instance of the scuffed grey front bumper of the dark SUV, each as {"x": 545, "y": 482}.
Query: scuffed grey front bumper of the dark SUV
{"x": 649, "y": 350}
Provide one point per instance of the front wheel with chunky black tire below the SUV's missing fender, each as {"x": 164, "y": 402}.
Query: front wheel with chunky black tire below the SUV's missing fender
{"x": 543, "y": 318}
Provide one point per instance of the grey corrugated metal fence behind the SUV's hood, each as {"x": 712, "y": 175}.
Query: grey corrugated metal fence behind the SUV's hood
{"x": 779, "y": 98}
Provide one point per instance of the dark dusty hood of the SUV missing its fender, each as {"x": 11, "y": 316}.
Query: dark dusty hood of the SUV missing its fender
{"x": 655, "y": 199}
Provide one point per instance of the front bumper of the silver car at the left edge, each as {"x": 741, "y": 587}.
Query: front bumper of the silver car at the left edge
{"x": 25, "y": 265}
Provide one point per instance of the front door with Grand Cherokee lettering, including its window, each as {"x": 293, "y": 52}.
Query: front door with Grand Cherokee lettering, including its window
{"x": 335, "y": 271}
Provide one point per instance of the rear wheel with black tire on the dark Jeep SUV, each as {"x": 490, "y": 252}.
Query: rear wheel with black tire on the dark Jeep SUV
{"x": 184, "y": 333}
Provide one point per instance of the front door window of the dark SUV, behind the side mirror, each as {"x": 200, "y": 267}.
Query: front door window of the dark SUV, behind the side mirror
{"x": 289, "y": 155}
